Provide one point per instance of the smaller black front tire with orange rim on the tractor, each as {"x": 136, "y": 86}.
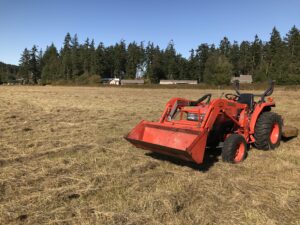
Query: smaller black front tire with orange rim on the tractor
{"x": 232, "y": 146}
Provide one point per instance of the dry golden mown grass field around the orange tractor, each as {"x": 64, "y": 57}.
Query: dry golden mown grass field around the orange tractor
{"x": 63, "y": 160}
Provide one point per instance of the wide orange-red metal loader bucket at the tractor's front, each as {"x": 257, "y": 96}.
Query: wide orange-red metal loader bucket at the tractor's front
{"x": 183, "y": 143}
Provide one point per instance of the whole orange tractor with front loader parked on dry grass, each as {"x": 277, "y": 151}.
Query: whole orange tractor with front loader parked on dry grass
{"x": 187, "y": 128}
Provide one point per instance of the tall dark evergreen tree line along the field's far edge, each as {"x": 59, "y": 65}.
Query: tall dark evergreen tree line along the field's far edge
{"x": 277, "y": 59}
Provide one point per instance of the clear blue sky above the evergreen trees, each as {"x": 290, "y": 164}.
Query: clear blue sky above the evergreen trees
{"x": 188, "y": 23}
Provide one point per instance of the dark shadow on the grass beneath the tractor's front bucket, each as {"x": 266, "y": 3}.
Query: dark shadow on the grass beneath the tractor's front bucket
{"x": 211, "y": 157}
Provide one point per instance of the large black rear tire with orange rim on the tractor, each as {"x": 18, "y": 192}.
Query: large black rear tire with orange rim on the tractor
{"x": 264, "y": 127}
